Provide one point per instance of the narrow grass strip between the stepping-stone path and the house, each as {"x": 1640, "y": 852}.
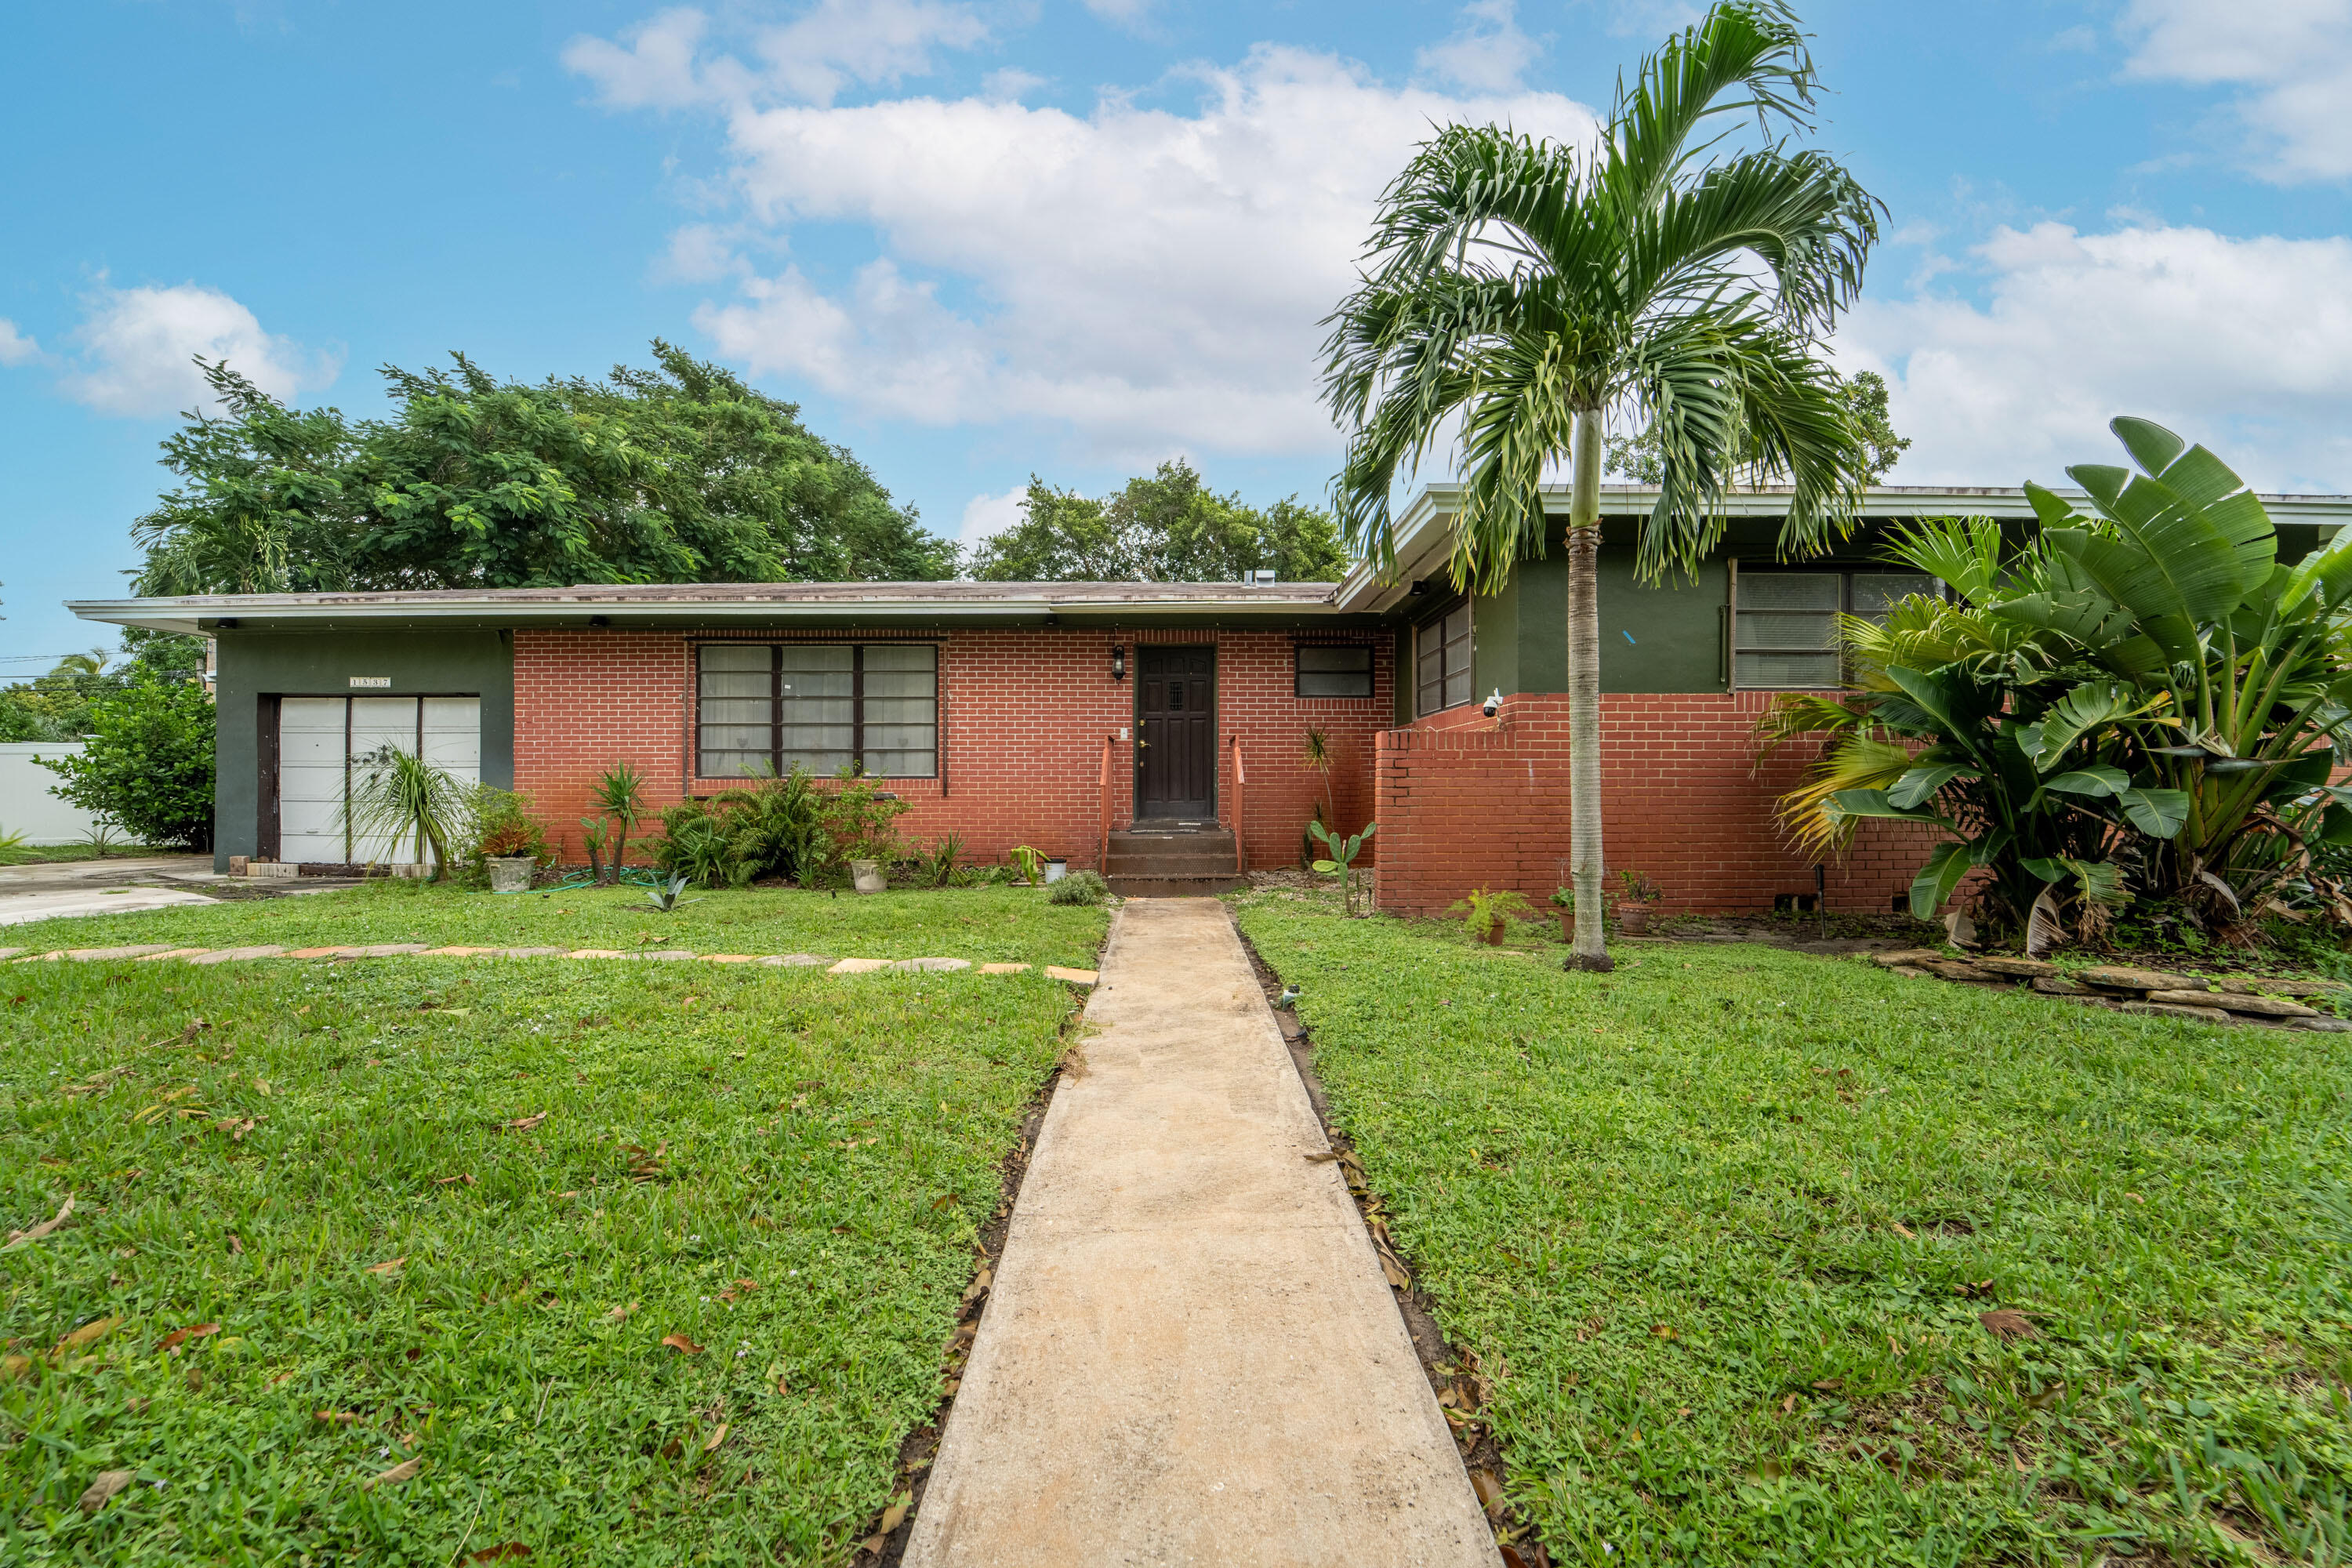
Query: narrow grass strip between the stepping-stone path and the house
{"x": 980, "y": 925}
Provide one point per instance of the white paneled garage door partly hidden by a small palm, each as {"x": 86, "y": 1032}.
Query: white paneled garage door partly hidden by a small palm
{"x": 326, "y": 739}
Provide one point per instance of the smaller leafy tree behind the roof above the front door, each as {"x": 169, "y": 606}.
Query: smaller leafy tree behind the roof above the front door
{"x": 1168, "y": 528}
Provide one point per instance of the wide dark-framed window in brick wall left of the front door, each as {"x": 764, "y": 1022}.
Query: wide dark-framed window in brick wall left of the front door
{"x": 824, "y": 706}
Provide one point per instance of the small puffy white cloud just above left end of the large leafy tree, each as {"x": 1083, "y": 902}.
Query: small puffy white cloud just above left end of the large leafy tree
{"x": 138, "y": 351}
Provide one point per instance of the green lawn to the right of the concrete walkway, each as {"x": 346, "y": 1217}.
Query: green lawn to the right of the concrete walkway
{"x": 1725, "y": 1224}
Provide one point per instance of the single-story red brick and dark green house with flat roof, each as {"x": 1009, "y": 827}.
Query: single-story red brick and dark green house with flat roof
{"x": 1095, "y": 718}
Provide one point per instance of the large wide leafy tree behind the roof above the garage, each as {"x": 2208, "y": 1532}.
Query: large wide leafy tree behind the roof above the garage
{"x": 674, "y": 474}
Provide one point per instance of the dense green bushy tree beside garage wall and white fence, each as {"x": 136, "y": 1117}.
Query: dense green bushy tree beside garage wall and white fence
{"x": 147, "y": 765}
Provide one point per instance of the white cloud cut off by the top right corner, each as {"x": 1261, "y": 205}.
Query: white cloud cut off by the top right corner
{"x": 2292, "y": 62}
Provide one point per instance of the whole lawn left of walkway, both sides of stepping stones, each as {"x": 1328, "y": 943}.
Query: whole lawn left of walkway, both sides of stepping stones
{"x": 570, "y": 1162}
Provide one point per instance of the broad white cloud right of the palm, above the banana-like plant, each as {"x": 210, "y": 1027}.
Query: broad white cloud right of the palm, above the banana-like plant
{"x": 2240, "y": 344}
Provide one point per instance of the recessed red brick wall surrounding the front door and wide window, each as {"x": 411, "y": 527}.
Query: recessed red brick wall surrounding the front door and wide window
{"x": 1024, "y": 718}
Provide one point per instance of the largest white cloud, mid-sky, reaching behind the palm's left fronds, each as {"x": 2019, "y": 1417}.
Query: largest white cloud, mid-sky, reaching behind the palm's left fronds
{"x": 1149, "y": 279}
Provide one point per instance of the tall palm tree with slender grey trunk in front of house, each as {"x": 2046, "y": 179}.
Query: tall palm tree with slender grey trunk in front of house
{"x": 1518, "y": 293}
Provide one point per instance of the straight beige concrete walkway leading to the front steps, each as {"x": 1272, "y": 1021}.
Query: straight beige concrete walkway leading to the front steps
{"x": 1189, "y": 1353}
